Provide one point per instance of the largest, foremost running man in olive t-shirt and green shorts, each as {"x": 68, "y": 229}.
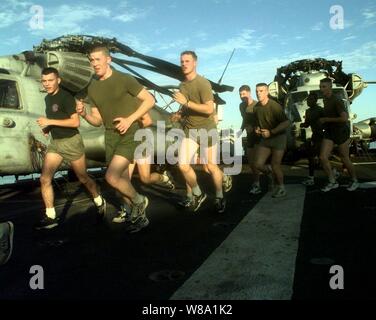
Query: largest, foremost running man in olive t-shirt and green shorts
{"x": 118, "y": 101}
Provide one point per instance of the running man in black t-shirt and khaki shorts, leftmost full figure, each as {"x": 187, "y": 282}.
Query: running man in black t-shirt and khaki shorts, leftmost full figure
{"x": 61, "y": 122}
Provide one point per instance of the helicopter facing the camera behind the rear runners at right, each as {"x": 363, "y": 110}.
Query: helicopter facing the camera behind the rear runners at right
{"x": 292, "y": 85}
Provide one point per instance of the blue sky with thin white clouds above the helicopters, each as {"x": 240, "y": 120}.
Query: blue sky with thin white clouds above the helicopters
{"x": 266, "y": 35}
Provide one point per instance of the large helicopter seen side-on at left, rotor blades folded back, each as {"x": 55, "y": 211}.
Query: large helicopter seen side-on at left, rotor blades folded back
{"x": 22, "y": 144}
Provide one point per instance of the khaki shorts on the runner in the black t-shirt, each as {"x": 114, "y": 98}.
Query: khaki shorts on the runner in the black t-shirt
{"x": 71, "y": 149}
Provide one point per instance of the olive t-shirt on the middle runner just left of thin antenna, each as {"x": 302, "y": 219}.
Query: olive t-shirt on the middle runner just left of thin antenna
{"x": 198, "y": 90}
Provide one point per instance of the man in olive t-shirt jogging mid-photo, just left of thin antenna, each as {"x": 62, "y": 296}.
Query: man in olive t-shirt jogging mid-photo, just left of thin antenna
{"x": 197, "y": 101}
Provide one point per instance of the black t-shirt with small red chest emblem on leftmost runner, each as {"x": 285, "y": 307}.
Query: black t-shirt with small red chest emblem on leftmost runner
{"x": 60, "y": 107}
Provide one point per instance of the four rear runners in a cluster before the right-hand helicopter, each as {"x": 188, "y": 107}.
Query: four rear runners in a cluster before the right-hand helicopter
{"x": 266, "y": 125}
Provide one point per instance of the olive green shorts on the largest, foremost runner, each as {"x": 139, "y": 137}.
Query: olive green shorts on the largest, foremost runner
{"x": 120, "y": 145}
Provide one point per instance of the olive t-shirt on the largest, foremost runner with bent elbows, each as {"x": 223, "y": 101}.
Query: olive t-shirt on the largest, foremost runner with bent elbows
{"x": 115, "y": 97}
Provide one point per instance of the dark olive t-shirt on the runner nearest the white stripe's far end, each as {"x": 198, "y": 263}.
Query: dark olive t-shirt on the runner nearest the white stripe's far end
{"x": 270, "y": 115}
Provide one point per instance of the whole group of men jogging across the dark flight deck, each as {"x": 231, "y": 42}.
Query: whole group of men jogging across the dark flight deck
{"x": 122, "y": 105}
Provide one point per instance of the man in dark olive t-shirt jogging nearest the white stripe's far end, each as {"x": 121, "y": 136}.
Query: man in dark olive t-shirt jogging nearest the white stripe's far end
{"x": 271, "y": 125}
